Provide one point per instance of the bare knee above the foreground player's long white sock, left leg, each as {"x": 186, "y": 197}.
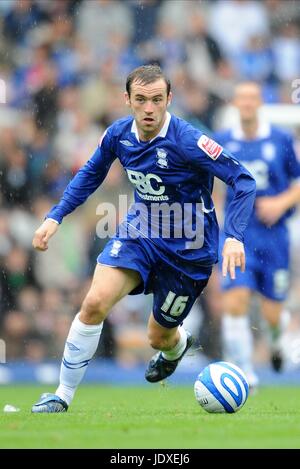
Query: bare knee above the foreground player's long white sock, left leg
{"x": 95, "y": 307}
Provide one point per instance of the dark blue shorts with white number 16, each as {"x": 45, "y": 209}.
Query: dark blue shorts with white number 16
{"x": 174, "y": 292}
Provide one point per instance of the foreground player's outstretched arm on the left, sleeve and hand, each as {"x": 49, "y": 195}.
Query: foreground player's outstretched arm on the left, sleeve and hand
{"x": 84, "y": 183}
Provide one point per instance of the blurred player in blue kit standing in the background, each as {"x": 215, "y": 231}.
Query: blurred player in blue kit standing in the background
{"x": 268, "y": 154}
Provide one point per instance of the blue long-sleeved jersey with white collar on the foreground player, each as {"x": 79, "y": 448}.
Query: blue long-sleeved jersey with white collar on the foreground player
{"x": 172, "y": 174}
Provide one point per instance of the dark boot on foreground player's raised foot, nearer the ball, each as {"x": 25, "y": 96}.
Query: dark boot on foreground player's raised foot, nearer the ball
{"x": 159, "y": 368}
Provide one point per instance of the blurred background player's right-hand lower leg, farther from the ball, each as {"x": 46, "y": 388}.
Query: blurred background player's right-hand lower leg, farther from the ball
{"x": 277, "y": 318}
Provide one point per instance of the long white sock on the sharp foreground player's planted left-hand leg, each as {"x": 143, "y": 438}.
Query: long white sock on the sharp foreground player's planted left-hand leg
{"x": 81, "y": 344}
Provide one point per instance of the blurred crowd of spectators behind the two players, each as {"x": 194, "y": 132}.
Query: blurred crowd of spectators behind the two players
{"x": 64, "y": 63}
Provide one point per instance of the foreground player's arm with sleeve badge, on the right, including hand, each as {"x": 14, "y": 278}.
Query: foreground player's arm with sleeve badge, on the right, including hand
{"x": 207, "y": 155}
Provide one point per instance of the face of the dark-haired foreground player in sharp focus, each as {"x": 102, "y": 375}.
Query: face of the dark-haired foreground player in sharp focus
{"x": 148, "y": 104}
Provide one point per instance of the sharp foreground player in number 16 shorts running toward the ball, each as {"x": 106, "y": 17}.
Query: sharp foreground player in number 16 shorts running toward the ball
{"x": 171, "y": 166}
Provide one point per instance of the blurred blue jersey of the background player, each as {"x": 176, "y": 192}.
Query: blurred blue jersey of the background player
{"x": 272, "y": 161}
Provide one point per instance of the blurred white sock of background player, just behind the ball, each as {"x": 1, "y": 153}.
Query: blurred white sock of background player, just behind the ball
{"x": 238, "y": 342}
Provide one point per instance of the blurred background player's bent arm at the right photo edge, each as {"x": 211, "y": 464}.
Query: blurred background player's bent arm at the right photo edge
{"x": 270, "y": 209}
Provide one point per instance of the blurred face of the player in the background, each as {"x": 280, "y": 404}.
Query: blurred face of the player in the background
{"x": 247, "y": 100}
